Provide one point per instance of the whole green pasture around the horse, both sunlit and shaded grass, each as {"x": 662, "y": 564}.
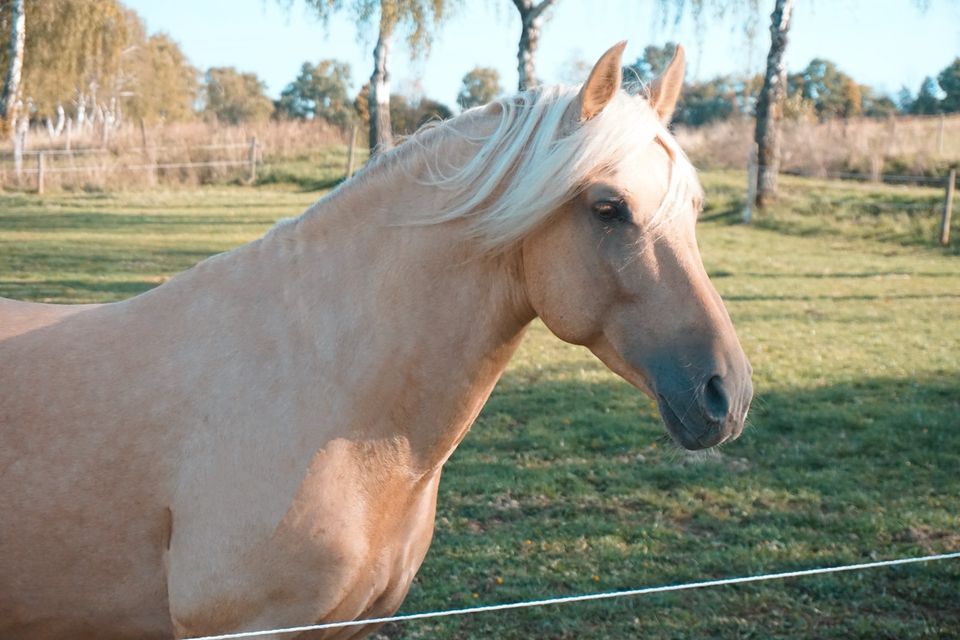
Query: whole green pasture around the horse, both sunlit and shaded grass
{"x": 567, "y": 483}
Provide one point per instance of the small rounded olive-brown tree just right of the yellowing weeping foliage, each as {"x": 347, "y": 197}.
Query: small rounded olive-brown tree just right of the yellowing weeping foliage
{"x": 234, "y": 97}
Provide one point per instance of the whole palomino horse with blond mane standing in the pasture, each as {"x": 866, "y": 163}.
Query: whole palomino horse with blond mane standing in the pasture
{"x": 258, "y": 442}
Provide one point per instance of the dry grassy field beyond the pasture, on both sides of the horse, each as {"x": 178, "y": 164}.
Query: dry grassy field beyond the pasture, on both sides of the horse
{"x": 314, "y": 154}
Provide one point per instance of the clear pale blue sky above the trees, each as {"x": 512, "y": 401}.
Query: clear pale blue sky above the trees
{"x": 883, "y": 43}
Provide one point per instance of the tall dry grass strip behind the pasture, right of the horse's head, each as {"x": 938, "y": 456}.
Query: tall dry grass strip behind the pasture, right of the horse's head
{"x": 902, "y": 145}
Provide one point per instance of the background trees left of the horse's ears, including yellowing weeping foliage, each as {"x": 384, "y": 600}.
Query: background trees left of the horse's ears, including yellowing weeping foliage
{"x": 92, "y": 62}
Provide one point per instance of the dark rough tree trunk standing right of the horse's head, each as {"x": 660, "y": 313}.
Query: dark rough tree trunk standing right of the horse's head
{"x": 770, "y": 106}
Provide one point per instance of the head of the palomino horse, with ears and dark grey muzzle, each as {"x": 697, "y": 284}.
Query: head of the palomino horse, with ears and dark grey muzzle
{"x": 616, "y": 266}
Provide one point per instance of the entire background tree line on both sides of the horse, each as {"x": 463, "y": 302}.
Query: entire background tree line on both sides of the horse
{"x": 91, "y": 61}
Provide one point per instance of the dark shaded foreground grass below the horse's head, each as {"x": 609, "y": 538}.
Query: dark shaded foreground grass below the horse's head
{"x": 563, "y": 479}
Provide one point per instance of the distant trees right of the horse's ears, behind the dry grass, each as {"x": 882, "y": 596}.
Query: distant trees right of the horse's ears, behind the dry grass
{"x": 819, "y": 92}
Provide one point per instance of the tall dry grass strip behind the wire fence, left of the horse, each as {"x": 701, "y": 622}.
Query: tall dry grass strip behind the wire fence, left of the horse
{"x": 185, "y": 154}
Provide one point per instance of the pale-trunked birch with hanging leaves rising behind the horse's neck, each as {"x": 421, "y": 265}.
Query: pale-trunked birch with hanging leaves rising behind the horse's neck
{"x": 418, "y": 17}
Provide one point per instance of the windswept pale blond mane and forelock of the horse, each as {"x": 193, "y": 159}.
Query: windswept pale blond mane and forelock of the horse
{"x": 533, "y": 162}
